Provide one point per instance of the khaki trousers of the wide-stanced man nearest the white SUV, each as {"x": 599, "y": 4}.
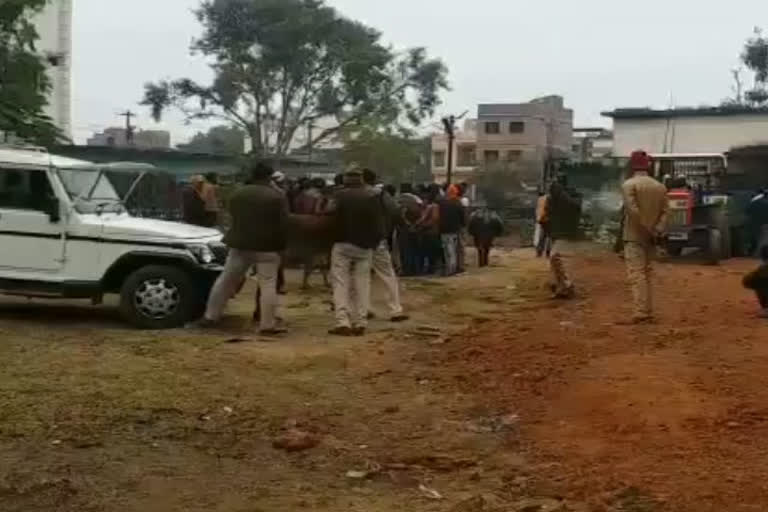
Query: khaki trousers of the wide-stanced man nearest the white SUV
{"x": 234, "y": 273}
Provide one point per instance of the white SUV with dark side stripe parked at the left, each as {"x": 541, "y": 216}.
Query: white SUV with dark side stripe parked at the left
{"x": 64, "y": 232}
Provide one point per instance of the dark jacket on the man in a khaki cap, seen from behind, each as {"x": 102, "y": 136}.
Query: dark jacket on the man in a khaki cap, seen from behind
{"x": 359, "y": 217}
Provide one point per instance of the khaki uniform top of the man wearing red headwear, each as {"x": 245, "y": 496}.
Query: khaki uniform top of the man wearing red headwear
{"x": 645, "y": 209}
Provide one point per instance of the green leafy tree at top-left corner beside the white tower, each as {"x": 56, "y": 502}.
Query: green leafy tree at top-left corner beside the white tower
{"x": 24, "y": 84}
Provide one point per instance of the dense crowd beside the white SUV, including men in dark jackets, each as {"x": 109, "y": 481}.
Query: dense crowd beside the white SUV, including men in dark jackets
{"x": 354, "y": 229}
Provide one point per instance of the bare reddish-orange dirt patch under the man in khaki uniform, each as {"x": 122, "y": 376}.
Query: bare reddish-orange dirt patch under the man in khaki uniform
{"x": 675, "y": 414}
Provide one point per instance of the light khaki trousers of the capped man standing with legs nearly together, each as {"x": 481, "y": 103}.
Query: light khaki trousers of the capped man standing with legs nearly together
{"x": 351, "y": 279}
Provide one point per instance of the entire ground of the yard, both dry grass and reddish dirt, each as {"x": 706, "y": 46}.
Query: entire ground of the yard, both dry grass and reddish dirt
{"x": 491, "y": 399}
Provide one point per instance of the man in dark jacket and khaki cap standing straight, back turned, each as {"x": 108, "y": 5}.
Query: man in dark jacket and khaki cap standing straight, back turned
{"x": 360, "y": 223}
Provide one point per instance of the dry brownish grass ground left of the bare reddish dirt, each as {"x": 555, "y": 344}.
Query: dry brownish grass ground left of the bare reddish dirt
{"x": 94, "y": 416}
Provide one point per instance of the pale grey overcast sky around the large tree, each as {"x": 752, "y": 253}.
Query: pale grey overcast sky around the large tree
{"x": 598, "y": 54}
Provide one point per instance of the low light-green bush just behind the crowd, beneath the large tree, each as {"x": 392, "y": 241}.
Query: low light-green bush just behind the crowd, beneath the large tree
{"x": 394, "y": 157}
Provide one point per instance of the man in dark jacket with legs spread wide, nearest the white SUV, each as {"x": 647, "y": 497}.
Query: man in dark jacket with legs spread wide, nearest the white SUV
{"x": 259, "y": 216}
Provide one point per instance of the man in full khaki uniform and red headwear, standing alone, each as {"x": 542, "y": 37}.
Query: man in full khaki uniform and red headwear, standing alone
{"x": 645, "y": 212}
